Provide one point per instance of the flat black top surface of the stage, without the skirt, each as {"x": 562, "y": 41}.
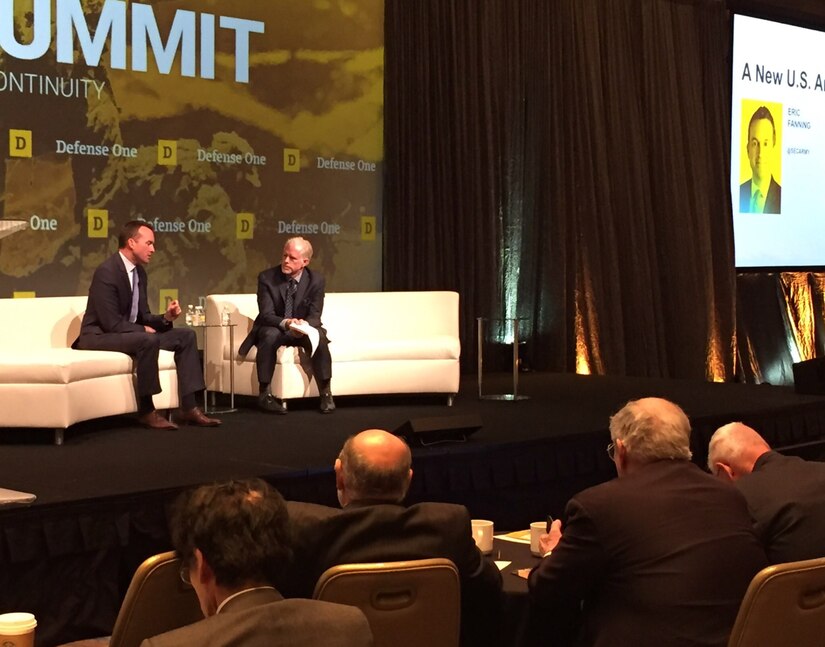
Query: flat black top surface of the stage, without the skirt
{"x": 114, "y": 457}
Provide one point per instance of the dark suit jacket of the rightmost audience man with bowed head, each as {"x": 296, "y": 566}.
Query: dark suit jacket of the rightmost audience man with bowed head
{"x": 786, "y": 499}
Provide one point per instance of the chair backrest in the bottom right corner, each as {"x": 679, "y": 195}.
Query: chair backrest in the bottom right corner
{"x": 784, "y": 605}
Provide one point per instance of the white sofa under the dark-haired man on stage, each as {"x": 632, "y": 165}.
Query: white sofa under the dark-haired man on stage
{"x": 46, "y": 383}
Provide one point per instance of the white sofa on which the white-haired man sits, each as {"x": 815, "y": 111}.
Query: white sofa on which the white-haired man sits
{"x": 380, "y": 342}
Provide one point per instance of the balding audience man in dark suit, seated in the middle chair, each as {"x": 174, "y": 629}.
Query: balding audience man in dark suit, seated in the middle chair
{"x": 372, "y": 473}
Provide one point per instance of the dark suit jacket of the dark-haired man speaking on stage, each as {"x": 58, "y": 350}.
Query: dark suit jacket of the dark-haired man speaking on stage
{"x": 110, "y": 300}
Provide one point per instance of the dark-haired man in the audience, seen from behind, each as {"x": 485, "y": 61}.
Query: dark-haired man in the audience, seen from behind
{"x": 233, "y": 541}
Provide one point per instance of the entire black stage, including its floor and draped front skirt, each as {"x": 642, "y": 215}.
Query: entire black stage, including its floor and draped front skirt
{"x": 102, "y": 496}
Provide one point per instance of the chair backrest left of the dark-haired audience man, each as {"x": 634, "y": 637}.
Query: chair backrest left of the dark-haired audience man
{"x": 156, "y": 601}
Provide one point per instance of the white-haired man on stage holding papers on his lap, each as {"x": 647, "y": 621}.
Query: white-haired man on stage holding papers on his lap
{"x": 290, "y": 296}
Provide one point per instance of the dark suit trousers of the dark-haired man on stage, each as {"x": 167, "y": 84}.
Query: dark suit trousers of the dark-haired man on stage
{"x": 144, "y": 348}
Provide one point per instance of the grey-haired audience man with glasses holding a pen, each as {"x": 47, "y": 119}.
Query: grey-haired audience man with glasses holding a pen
{"x": 660, "y": 556}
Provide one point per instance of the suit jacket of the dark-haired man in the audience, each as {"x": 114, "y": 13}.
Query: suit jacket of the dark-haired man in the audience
{"x": 264, "y": 619}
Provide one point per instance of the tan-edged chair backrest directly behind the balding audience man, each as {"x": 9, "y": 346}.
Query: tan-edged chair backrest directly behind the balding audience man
{"x": 408, "y": 604}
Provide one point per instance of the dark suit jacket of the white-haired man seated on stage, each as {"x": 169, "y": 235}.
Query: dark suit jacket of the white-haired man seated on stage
{"x": 308, "y": 303}
